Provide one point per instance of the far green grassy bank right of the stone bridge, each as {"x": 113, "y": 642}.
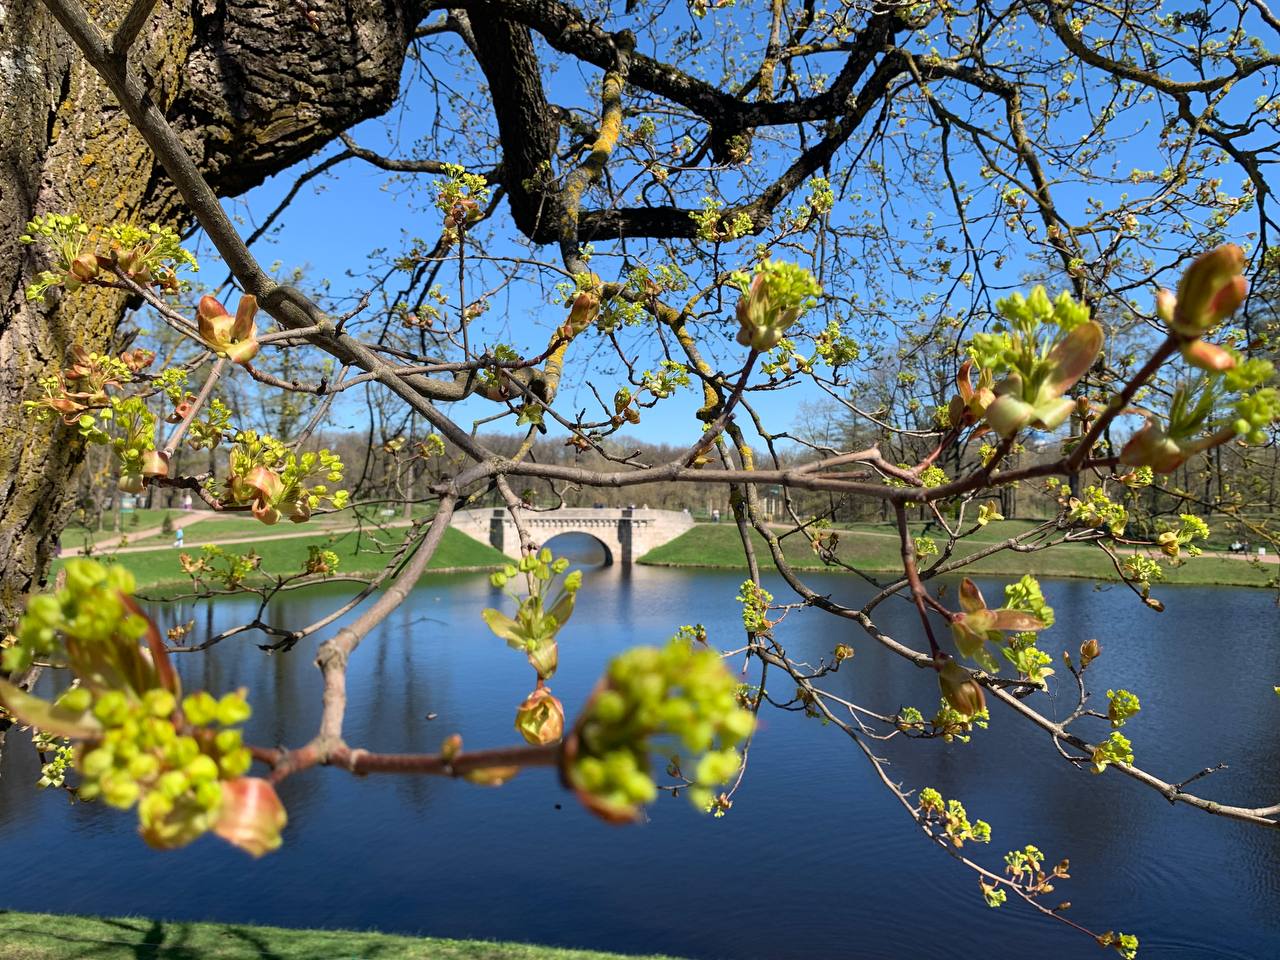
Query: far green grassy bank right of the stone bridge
{"x": 875, "y": 550}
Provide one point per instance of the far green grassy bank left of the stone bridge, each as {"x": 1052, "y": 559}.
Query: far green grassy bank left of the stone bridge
{"x": 358, "y": 554}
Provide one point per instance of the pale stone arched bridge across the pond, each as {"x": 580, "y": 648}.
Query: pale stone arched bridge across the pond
{"x": 627, "y": 533}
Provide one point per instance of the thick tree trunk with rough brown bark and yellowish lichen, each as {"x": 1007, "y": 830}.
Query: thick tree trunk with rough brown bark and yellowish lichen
{"x": 253, "y": 85}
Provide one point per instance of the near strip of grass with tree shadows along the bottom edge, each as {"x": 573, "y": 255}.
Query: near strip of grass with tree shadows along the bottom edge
{"x": 54, "y": 938}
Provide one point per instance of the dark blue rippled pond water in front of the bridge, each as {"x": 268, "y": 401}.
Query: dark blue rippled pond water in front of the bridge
{"x": 815, "y": 861}
